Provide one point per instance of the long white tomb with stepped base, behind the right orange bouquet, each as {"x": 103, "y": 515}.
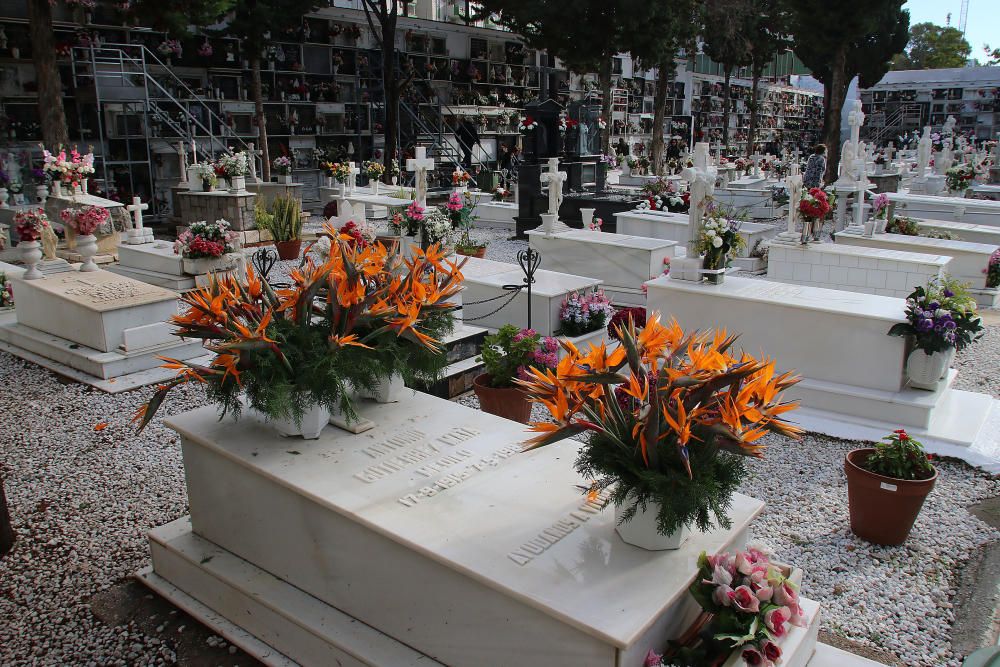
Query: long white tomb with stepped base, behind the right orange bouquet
{"x": 853, "y": 372}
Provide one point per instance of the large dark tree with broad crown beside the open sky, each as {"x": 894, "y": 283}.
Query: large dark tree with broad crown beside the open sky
{"x": 857, "y": 38}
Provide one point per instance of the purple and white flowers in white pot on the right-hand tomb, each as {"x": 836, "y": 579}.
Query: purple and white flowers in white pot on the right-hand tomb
{"x": 941, "y": 320}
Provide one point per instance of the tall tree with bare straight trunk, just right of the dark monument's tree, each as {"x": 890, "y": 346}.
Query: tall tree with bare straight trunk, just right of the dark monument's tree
{"x": 676, "y": 29}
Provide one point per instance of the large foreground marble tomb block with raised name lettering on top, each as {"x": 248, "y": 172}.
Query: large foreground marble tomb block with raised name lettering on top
{"x": 434, "y": 529}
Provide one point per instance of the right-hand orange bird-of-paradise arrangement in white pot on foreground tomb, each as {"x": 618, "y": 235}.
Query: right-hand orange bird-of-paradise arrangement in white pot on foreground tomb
{"x": 667, "y": 431}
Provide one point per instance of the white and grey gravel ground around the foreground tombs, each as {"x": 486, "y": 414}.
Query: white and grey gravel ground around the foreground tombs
{"x": 84, "y": 489}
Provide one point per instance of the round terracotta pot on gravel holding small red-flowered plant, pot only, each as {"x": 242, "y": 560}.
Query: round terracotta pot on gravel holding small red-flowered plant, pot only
{"x": 883, "y": 509}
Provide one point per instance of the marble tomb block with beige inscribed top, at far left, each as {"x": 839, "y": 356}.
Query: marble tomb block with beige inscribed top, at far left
{"x": 92, "y": 309}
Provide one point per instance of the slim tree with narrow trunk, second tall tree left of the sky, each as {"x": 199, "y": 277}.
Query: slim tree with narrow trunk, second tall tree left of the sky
{"x": 726, "y": 42}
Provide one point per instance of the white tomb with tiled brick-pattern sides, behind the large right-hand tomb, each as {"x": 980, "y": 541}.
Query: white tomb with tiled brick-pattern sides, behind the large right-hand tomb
{"x": 854, "y": 268}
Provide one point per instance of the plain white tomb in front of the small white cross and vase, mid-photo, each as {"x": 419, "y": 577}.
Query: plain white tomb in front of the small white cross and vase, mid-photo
{"x": 623, "y": 263}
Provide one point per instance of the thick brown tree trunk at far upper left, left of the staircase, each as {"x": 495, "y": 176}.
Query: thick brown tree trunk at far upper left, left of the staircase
{"x": 51, "y": 114}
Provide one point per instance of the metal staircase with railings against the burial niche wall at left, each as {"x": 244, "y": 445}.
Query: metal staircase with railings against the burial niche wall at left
{"x": 132, "y": 77}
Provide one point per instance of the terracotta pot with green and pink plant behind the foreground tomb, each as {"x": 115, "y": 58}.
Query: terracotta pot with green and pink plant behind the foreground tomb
{"x": 507, "y": 355}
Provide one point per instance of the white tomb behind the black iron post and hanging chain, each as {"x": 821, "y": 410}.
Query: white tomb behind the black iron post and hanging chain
{"x": 485, "y": 279}
